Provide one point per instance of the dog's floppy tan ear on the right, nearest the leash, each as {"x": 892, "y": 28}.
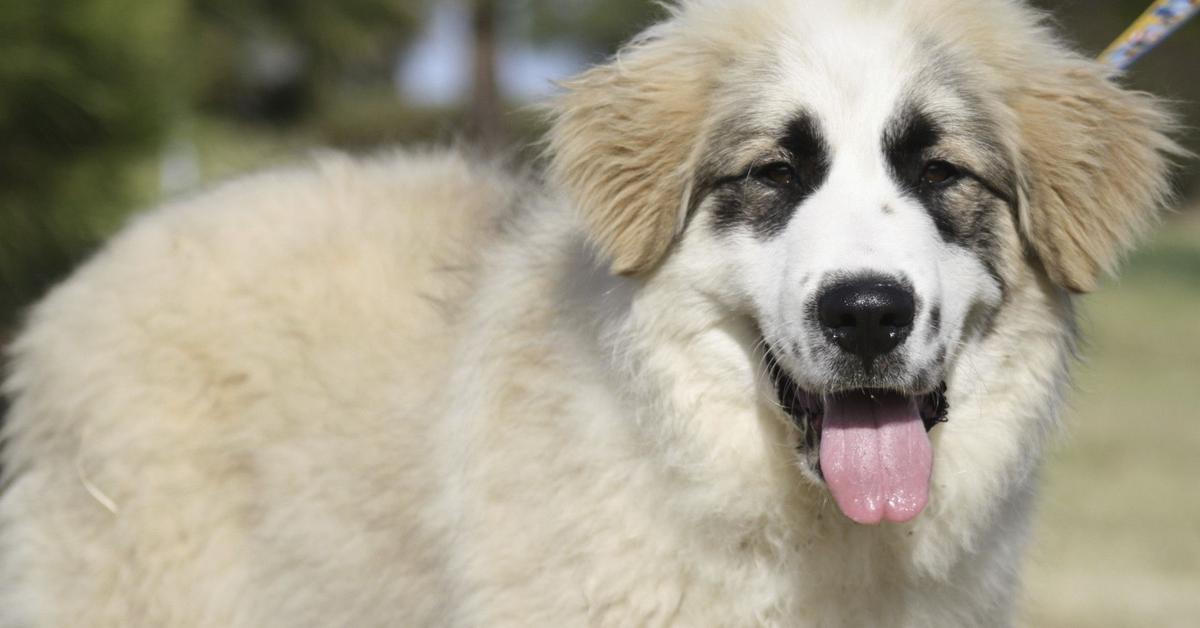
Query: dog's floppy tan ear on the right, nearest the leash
{"x": 1096, "y": 169}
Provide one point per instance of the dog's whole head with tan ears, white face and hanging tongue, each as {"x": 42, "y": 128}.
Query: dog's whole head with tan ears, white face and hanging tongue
{"x": 866, "y": 182}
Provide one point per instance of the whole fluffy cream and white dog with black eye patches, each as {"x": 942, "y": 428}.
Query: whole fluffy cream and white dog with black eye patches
{"x": 778, "y": 340}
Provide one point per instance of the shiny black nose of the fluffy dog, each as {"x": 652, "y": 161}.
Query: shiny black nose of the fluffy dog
{"x": 867, "y": 318}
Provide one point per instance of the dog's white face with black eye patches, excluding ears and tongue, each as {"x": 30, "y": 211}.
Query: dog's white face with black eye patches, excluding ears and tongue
{"x": 869, "y": 216}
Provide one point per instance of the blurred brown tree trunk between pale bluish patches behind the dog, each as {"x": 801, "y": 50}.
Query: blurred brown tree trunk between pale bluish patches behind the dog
{"x": 487, "y": 123}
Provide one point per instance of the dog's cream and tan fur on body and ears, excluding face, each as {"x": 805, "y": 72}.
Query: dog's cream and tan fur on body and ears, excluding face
{"x": 406, "y": 392}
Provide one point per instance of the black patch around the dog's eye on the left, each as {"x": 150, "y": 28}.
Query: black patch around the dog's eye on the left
{"x": 748, "y": 202}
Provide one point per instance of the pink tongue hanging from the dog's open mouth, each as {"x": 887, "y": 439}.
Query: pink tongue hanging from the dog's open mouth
{"x": 877, "y": 457}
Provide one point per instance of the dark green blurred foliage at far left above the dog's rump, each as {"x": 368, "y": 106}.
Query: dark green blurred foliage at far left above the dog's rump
{"x": 86, "y": 88}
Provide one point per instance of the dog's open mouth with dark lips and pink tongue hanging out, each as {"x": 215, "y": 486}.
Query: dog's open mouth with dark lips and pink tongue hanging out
{"x": 872, "y": 446}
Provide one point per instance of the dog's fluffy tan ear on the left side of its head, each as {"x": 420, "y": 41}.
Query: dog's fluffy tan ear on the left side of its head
{"x": 623, "y": 142}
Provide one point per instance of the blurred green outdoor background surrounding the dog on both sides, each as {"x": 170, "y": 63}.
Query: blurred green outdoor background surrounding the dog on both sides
{"x": 110, "y": 106}
